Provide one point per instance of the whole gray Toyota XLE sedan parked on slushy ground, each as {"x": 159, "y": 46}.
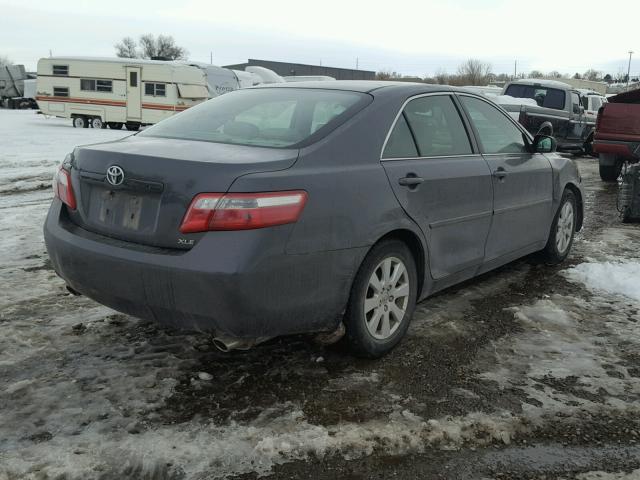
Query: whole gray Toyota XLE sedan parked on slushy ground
{"x": 299, "y": 208}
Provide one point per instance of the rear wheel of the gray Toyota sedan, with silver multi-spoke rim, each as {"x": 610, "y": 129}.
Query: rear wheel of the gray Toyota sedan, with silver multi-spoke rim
{"x": 382, "y": 300}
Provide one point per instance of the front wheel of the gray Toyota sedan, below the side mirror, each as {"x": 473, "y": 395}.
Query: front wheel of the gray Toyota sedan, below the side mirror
{"x": 563, "y": 230}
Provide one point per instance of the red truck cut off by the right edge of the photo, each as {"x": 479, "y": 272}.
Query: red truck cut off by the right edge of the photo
{"x": 617, "y": 136}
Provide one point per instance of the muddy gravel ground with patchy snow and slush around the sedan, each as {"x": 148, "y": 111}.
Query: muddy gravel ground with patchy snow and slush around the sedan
{"x": 528, "y": 372}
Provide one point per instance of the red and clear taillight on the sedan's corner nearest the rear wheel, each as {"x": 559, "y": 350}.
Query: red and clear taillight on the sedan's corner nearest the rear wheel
{"x": 242, "y": 211}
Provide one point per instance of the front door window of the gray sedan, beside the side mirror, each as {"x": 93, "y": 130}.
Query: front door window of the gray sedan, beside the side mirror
{"x": 496, "y": 133}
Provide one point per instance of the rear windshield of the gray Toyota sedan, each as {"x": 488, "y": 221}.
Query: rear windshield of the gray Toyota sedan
{"x": 265, "y": 117}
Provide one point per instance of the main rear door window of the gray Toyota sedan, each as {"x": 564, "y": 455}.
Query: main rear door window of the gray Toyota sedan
{"x": 437, "y": 126}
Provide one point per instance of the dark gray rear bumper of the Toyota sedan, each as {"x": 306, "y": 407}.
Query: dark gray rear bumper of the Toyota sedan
{"x": 239, "y": 284}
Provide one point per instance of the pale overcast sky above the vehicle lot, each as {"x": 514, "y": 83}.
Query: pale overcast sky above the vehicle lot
{"x": 410, "y": 37}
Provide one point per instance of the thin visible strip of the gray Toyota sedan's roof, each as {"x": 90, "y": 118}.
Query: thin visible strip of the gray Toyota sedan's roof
{"x": 368, "y": 86}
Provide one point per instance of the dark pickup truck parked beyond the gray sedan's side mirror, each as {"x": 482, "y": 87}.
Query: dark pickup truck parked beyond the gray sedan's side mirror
{"x": 559, "y": 112}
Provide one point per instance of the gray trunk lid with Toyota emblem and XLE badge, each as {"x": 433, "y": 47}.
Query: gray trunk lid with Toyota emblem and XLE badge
{"x": 153, "y": 181}
